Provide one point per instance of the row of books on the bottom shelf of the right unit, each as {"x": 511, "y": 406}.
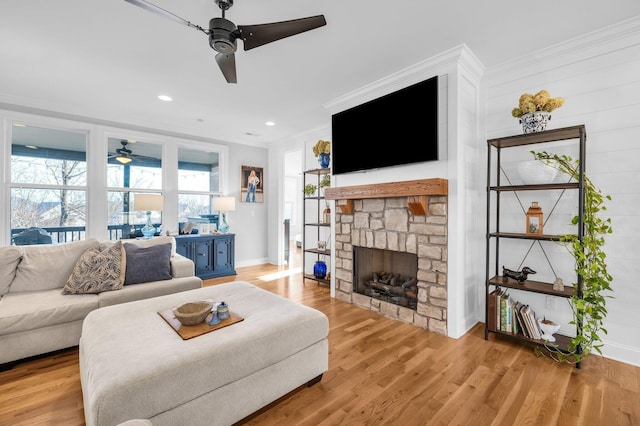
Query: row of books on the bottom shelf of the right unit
{"x": 509, "y": 316}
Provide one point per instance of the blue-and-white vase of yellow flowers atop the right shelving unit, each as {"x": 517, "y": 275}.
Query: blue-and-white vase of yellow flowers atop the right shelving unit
{"x": 534, "y": 111}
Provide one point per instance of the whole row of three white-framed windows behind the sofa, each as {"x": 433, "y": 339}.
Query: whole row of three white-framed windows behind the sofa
{"x": 58, "y": 180}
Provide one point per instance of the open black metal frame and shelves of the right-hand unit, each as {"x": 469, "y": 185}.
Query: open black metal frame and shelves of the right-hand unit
{"x": 494, "y": 232}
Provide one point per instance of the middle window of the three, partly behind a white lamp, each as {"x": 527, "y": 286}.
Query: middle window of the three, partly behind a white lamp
{"x": 133, "y": 167}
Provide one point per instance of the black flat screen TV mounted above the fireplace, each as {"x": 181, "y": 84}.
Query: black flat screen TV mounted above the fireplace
{"x": 392, "y": 130}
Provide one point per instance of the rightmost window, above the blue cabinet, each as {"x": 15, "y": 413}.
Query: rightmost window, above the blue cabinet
{"x": 198, "y": 184}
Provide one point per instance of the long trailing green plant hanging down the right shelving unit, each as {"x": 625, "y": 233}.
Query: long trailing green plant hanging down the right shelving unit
{"x": 589, "y": 308}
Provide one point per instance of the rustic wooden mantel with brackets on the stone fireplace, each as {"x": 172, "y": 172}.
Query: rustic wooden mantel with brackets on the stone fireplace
{"x": 416, "y": 191}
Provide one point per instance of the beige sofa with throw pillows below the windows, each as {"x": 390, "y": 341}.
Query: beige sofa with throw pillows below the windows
{"x": 36, "y": 317}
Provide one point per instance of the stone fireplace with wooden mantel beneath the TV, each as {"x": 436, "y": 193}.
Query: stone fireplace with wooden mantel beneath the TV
{"x": 394, "y": 218}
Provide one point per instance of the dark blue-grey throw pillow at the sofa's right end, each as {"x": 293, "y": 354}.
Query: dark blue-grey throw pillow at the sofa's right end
{"x": 146, "y": 264}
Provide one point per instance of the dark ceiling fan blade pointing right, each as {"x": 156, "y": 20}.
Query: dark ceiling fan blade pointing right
{"x": 256, "y": 35}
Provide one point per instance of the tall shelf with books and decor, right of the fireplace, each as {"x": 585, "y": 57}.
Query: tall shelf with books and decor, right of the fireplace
{"x": 504, "y": 239}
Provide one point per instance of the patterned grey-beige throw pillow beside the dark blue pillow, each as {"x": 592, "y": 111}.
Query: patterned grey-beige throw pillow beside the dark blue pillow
{"x": 98, "y": 271}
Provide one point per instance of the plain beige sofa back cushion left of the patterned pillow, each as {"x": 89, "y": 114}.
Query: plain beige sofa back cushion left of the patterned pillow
{"x": 48, "y": 266}
